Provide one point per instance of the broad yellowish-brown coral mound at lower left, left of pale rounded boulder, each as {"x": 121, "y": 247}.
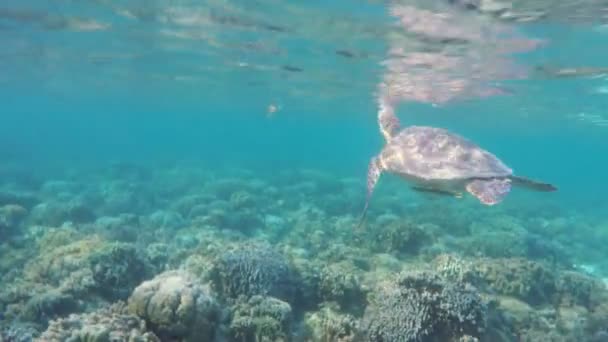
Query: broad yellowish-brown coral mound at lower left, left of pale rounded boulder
{"x": 81, "y": 271}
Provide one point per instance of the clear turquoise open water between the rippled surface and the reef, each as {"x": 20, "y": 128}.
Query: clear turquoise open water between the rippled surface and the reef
{"x": 64, "y": 114}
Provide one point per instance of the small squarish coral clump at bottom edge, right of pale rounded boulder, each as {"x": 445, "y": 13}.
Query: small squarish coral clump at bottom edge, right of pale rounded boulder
{"x": 260, "y": 318}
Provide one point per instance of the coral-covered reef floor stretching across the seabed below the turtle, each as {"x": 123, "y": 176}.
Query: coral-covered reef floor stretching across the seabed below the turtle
{"x": 185, "y": 253}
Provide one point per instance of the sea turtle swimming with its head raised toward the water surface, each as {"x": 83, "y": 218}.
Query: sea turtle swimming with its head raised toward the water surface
{"x": 436, "y": 160}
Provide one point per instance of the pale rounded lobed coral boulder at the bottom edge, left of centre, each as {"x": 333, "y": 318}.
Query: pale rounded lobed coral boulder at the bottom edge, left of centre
{"x": 176, "y": 306}
